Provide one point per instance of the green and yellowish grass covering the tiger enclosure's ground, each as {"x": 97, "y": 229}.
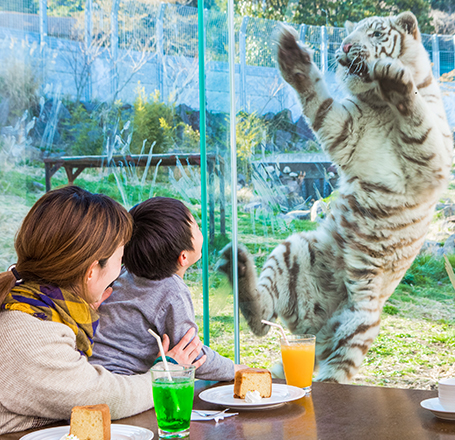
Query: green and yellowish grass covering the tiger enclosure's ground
{"x": 416, "y": 344}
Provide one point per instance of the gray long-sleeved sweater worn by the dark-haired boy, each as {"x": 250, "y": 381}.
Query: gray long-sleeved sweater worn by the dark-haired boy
{"x": 122, "y": 343}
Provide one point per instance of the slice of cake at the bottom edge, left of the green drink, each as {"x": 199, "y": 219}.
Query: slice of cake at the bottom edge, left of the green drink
{"x": 91, "y": 422}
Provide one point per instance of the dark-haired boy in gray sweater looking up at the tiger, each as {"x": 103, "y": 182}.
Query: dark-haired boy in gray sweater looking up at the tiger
{"x": 151, "y": 293}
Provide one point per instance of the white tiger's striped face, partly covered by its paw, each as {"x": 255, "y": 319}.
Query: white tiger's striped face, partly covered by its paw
{"x": 371, "y": 39}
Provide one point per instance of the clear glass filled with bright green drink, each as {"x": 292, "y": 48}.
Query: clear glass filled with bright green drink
{"x": 173, "y": 392}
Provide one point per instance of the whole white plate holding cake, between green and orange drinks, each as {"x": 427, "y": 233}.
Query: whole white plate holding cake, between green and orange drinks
{"x": 224, "y": 396}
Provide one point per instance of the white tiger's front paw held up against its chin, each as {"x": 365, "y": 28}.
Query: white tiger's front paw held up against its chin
{"x": 395, "y": 82}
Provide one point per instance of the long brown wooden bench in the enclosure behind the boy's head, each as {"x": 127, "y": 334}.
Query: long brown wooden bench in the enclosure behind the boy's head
{"x": 74, "y": 165}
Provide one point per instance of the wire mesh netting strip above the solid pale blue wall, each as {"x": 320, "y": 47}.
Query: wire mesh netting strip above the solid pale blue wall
{"x": 173, "y": 30}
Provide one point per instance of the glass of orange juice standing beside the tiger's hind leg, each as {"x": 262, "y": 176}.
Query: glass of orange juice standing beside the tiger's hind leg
{"x": 298, "y": 360}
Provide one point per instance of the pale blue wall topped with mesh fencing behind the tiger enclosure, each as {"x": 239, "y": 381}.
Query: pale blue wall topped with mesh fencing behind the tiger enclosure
{"x": 101, "y": 50}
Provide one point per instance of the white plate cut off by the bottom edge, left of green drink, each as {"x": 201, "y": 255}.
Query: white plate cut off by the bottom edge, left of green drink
{"x": 118, "y": 432}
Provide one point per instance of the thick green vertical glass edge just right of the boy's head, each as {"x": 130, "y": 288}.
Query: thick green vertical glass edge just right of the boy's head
{"x": 205, "y": 246}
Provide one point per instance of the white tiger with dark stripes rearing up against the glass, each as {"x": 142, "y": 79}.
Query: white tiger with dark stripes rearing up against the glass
{"x": 393, "y": 147}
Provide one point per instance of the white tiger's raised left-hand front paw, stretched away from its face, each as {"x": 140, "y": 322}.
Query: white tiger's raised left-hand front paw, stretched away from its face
{"x": 294, "y": 59}
